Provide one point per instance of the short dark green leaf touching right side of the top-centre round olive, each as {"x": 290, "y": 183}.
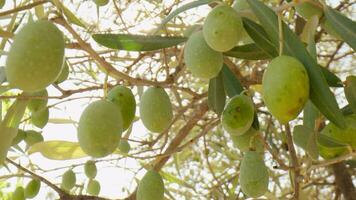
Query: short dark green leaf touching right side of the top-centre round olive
{"x": 258, "y": 34}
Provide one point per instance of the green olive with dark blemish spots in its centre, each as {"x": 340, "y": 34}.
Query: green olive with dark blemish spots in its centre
{"x": 238, "y": 115}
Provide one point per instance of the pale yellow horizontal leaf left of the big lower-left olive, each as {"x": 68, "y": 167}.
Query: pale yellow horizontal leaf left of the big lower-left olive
{"x": 58, "y": 150}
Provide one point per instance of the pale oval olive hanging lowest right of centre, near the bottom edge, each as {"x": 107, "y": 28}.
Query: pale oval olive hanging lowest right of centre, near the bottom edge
{"x": 253, "y": 175}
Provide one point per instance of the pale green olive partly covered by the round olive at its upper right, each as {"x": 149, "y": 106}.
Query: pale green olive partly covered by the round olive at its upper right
{"x": 202, "y": 61}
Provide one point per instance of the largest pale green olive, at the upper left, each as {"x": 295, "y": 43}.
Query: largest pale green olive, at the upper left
{"x": 36, "y": 56}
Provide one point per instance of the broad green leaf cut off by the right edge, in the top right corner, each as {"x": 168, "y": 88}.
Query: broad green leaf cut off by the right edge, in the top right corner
{"x": 342, "y": 25}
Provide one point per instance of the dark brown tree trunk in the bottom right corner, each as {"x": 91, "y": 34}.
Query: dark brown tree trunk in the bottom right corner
{"x": 343, "y": 181}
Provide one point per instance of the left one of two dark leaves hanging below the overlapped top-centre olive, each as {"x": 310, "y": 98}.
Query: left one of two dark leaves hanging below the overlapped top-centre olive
{"x": 216, "y": 94}
